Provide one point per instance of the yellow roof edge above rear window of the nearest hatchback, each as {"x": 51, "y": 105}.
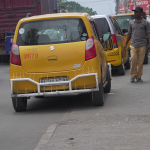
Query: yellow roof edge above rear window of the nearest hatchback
{"x": 57, "y": 15}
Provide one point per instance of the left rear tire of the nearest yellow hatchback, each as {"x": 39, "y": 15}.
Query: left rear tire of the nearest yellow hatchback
{"x": 19, "y": 104}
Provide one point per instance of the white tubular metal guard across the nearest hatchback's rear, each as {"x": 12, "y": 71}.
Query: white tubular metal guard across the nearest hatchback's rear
{"x": 70, "y": 91}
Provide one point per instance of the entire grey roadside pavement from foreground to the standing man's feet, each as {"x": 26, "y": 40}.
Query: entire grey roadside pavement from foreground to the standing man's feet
{"x": 122, "y": 124}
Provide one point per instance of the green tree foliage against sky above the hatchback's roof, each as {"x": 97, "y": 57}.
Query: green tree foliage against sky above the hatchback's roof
{"x": 73, "y": 6}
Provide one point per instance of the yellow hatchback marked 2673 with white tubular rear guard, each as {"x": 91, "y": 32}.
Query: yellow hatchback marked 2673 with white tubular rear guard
{"x": 56, "y": 55}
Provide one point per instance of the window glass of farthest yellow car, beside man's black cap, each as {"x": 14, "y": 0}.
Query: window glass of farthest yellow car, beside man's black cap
{"x": 123, "y": 21}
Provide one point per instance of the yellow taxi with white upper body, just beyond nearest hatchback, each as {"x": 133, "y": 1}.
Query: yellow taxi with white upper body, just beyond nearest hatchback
{"x": 113, "y": 40}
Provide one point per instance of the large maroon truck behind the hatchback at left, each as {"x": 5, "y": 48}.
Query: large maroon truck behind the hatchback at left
{"x": 11, "y": 11}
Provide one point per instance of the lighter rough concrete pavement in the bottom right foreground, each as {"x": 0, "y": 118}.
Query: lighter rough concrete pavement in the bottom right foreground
{"x": 120, "y": 133}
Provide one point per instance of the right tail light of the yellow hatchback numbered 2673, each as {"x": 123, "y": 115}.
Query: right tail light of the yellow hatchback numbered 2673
{"x": 90, "y": 49}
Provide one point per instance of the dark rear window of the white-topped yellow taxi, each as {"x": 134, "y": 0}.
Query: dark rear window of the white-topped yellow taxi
{"x": 103, "y": 26}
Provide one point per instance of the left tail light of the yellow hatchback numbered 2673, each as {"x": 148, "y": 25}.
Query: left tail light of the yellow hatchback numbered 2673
{"x": 15, "y": 55}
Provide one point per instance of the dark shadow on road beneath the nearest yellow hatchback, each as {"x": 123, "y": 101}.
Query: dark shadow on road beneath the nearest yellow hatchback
{"x": 61, "y": 104}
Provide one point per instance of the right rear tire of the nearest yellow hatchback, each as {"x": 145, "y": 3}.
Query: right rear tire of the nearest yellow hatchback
{"x": 98, "y": 96}
